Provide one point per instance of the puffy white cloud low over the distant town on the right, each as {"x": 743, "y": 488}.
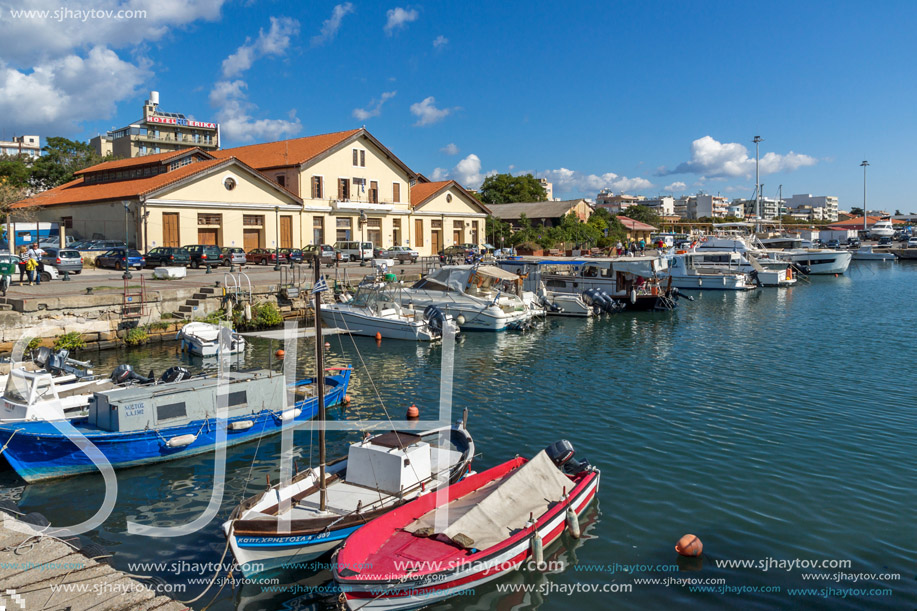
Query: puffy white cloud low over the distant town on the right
{"x": 712, "y": 158}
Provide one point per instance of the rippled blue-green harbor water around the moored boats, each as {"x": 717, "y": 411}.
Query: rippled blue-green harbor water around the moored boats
{"x": 776, "y": 425}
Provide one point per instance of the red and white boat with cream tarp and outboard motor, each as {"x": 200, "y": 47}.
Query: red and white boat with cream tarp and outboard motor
{"x": 473, "y": 532}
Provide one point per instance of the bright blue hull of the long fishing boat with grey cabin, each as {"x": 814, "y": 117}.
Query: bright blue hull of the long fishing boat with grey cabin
{"x": 40, "y": 451}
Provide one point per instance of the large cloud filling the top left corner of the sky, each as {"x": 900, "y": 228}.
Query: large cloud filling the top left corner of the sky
{"x": 25, "y": 42}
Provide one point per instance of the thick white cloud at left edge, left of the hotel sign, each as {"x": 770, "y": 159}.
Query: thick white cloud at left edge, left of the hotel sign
{"x": 59, "y": 93}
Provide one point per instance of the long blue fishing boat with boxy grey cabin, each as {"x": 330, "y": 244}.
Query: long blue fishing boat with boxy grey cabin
{"x": 142, "y": 425}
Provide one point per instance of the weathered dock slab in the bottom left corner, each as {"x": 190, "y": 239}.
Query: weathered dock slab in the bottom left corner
{"x": 41, "y": 572}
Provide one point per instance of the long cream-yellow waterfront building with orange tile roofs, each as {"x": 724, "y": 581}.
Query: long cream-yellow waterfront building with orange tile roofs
{"x": 321, "y": 189}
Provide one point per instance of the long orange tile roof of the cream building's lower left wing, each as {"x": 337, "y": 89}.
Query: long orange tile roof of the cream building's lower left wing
{"x": 75, "y": 192}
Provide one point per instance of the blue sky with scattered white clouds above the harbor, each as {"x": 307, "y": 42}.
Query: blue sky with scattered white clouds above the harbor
{"x": 642, "y": 97}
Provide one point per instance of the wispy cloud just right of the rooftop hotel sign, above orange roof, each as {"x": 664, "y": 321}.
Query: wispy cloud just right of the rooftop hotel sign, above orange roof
{"x": 236, "y": 122}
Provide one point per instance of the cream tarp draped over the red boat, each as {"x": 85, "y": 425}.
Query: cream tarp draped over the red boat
{"x": 493, "y": 513}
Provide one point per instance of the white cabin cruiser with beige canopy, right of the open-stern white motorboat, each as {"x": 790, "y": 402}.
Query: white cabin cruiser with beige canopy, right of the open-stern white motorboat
{"x": 479, "y": 298}
